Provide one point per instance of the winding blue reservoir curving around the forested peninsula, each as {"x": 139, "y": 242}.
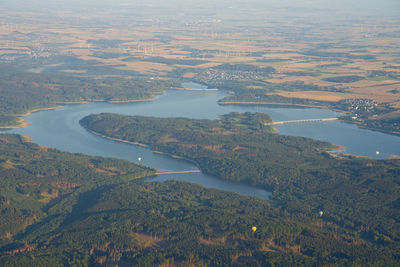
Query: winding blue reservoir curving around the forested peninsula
{"x": 59, "y": 128}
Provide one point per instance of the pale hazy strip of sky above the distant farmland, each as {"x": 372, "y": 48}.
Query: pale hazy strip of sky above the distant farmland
{"x": 391, "y": 7}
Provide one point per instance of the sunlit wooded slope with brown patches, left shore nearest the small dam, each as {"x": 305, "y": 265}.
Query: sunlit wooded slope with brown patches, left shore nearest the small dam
{"x": 36, "y": 180}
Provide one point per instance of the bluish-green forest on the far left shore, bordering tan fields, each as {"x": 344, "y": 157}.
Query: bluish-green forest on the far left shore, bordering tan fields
{"x": 22, "y": 91}
